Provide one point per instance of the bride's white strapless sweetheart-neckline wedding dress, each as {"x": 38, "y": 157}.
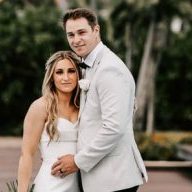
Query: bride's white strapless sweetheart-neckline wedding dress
{"x": 66, "y": 144}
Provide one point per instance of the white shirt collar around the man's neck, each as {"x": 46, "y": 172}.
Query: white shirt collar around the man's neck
{"x": 89, "y": 60}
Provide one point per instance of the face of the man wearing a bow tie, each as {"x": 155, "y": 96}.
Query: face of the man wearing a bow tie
{"x": 81, "y": 37}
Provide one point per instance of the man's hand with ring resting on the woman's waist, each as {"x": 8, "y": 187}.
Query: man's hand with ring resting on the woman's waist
{"x": 64, "y": 166}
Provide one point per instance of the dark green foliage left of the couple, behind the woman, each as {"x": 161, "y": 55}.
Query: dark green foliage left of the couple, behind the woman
{"x": 28, "y": 36}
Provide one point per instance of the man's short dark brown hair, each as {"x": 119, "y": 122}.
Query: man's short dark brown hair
{"x": 78, "y": 13}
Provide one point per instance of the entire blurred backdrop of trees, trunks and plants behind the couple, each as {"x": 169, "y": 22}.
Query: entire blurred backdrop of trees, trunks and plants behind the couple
{"x": 153, "y": 37}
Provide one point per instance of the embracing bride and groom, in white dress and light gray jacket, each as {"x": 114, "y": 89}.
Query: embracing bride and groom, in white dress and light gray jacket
{"x": 83, "y": 123}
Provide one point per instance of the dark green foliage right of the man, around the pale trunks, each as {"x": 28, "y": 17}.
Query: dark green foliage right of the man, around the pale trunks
{"x": 174, "y": 76}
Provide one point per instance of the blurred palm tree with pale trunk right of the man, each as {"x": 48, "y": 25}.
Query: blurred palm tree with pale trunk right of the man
{"x": 149, "y": 23}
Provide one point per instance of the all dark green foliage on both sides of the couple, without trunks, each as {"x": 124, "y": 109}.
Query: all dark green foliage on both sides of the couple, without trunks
{"x": 30, "y": 31}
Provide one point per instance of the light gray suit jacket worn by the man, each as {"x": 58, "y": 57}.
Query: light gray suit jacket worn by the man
{"x": 108, "y": 156}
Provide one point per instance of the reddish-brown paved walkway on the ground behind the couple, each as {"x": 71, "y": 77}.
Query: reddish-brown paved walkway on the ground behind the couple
{"x": 160, "y": 180}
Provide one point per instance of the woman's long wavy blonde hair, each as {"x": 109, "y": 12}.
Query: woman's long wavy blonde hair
{"x": 50, "y": 93}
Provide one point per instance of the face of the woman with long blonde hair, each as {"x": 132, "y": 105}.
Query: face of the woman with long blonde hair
{"x": 65, "y": 76}
